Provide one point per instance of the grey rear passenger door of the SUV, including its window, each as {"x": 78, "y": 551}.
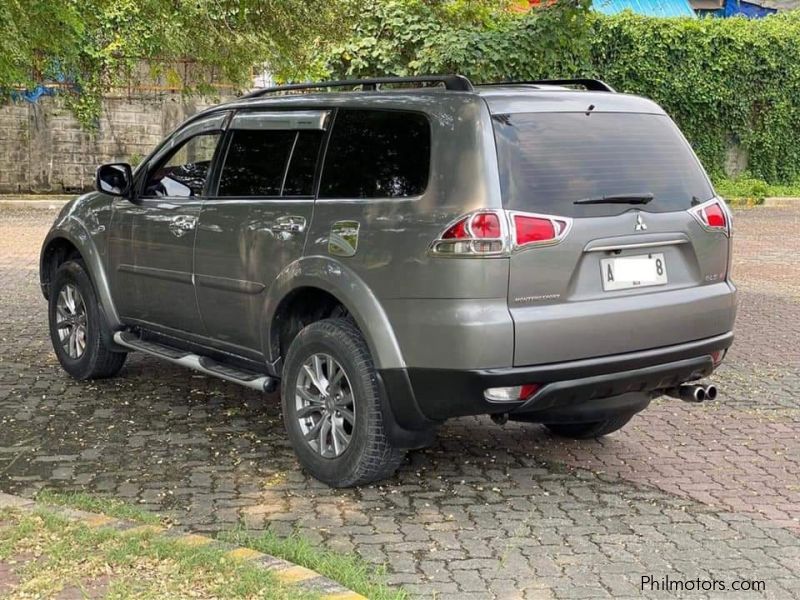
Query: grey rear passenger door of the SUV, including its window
{"x": 256, "y": 221}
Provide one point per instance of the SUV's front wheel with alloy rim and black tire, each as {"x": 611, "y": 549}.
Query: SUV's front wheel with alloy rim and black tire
{"x": 77, "y": 328}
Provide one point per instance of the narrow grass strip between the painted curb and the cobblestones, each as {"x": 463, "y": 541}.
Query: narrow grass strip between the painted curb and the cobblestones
{"x": 348, "y": 569}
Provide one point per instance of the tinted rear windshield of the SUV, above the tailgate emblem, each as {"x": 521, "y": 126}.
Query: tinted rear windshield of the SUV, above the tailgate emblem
{"x": 549, "y": 160}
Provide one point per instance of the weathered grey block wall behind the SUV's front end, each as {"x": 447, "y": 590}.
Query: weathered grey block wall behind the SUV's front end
{"x": 44, "y": 149}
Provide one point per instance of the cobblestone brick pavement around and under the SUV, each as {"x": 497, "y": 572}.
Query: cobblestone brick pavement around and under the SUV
{"x": 709, "y": 491}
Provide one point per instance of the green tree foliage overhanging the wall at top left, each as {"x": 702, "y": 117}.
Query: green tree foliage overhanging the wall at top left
{"x": 95, "y": 44}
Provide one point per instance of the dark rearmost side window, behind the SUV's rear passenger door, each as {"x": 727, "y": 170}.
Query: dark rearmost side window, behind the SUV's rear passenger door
{"x": 377, "y": 154}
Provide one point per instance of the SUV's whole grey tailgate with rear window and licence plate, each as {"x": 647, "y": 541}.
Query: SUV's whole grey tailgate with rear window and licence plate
{"x": 618, "y": 185}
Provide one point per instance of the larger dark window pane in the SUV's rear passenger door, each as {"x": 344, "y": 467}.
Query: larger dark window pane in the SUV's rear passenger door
{"x": 255, "y": 162}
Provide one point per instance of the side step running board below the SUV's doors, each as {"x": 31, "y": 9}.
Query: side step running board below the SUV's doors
{"x": 204, "y": 364}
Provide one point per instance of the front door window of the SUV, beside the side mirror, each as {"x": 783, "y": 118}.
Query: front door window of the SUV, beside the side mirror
{"x": 185, "y": 171}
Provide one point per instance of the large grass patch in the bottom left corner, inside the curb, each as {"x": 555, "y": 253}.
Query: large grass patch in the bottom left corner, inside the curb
{"x": 55, "y": 554}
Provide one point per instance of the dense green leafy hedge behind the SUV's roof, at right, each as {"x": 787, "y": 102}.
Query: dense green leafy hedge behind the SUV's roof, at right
{"x": 727, "y": 82}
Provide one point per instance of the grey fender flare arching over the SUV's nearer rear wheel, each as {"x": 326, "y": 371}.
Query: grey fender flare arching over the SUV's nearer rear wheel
{"x": 350, "y": 290}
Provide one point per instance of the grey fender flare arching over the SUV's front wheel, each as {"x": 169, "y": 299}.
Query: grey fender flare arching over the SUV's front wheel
{"x": 75, "y": 232}
